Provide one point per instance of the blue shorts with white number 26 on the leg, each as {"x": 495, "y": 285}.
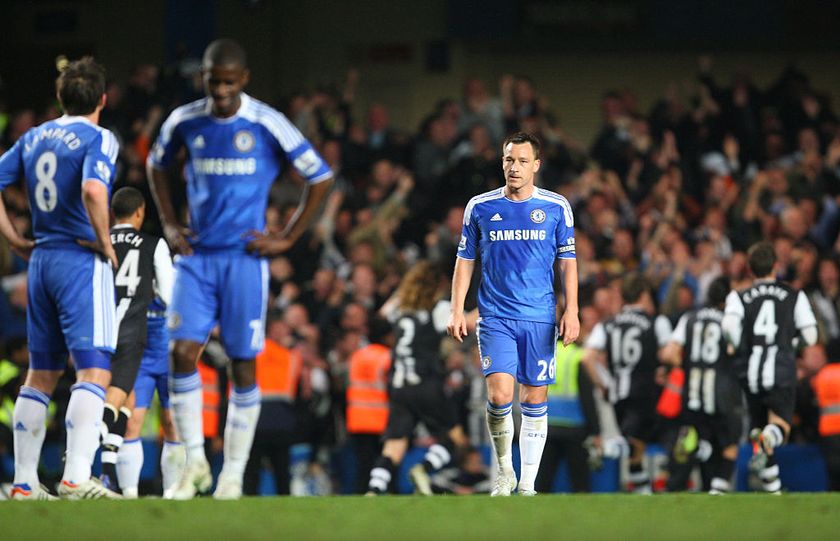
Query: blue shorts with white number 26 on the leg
{"x": 523, "y": 349}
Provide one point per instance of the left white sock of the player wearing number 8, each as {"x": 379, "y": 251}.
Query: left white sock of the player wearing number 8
{"x": 29, "y": 421}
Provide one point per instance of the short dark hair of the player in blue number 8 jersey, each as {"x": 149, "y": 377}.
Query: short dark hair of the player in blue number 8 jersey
{"x": 80, "y": 86}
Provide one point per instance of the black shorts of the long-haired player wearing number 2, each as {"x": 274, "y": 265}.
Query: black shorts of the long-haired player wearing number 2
{"x": 424, "y": 403}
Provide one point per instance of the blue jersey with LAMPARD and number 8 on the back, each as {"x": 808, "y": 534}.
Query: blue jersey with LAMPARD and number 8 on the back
{"x": 56, "y": 158}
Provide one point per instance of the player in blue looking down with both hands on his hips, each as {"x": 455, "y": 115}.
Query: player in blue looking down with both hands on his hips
{"x": 235, "y": 146}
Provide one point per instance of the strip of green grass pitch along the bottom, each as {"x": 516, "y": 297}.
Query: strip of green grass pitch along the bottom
{"x": 403, "y": 518}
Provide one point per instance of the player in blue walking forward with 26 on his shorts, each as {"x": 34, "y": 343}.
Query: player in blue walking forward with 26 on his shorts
{"x": 521, "y": 232}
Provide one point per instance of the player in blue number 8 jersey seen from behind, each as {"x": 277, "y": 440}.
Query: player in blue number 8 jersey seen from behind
{"x": 68, "y": 164}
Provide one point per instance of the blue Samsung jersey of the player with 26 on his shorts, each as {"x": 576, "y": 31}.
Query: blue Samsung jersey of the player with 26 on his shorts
{"x": 518, "y": 242}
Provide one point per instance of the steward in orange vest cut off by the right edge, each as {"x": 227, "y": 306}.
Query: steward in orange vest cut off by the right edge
{"x": 826, "y": 386}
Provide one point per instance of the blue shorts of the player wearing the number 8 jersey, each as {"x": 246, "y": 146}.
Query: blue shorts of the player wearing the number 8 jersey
{"x": 71, "y": 307}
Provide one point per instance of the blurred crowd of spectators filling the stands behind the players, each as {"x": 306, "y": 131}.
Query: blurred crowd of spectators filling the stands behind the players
{"x": 677, "y": 193}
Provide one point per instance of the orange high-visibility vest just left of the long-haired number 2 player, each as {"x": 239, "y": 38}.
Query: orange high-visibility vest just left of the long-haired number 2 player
{"x": 367, "y": 393}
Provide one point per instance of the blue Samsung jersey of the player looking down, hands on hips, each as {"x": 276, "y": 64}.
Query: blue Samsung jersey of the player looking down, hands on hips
{"x": 232, "y": 165}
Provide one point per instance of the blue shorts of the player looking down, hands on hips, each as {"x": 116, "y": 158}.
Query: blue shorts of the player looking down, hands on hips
{"x": 228, "y": 289}
